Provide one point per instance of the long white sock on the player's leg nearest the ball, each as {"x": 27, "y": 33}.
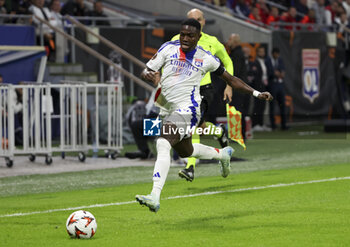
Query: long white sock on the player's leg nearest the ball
{"x": 161, "y": 167}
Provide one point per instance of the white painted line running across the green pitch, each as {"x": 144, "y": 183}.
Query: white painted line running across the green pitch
{"x": 177, "y": 197}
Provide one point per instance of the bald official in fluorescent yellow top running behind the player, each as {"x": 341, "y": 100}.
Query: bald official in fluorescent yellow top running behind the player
{"x": 213, "y": 45}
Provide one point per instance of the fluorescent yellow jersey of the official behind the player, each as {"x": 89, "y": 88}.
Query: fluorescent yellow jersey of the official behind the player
{"x": 212, "y": 44}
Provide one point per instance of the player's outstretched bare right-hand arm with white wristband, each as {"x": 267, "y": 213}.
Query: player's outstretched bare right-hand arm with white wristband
{"x": 241, "y": 86}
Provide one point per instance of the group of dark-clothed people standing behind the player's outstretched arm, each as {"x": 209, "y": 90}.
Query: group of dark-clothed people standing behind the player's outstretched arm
{"x": 263, "y": 72}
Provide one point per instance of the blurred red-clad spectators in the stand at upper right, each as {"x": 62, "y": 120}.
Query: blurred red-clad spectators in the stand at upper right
{"x": 270, "y": 13}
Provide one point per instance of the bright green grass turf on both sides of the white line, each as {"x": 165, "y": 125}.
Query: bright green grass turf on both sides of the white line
{"x": 301, "y": 215}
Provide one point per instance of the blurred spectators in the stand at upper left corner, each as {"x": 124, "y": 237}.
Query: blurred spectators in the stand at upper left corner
{"x": 52, "y": 11}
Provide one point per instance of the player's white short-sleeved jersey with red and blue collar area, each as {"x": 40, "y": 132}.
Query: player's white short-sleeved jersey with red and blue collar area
{"x": 182, "y": 73}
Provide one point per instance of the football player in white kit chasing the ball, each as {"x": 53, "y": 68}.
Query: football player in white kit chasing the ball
{"x": 184, "y": 64}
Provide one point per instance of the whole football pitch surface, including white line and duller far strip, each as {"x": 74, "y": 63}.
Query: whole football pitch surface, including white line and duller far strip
{"x": 288, "y": 192}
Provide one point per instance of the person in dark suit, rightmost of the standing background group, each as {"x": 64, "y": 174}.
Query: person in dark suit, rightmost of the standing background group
{"x": 276, "y": 87}
